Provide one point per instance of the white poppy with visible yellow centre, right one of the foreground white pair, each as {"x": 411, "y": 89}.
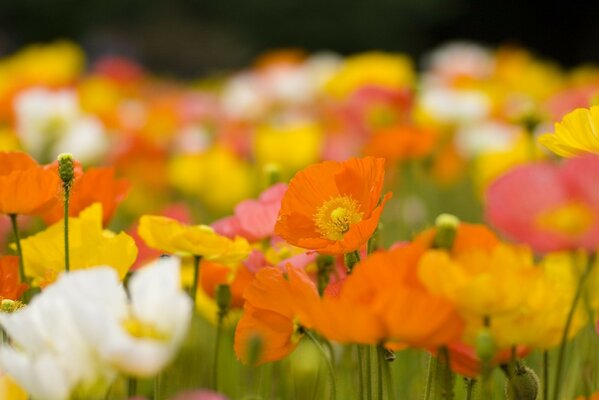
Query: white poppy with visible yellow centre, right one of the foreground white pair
{"x": 139, "y": 336}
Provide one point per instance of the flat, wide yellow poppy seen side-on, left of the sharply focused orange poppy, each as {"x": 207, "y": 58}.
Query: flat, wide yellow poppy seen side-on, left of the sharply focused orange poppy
{"x": 173, "y": 237}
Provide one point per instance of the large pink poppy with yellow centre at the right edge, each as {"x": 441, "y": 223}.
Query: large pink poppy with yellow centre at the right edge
{"x": 549, "y": 207}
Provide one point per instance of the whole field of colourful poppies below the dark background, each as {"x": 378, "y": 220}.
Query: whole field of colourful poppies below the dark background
{"x": 483, "y": 259}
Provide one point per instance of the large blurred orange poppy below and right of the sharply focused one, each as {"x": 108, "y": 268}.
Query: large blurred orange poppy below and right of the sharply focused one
{"x": 387, "y": 282}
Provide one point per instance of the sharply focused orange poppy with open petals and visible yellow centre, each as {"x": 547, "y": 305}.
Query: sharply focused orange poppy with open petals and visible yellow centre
{"x": 333, "y": 207}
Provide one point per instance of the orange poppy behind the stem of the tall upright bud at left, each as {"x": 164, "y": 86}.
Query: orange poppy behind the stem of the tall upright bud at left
{"x": 96, "y": 185}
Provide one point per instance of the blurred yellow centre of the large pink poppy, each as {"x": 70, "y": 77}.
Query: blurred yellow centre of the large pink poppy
{"x": 572, "y": 219}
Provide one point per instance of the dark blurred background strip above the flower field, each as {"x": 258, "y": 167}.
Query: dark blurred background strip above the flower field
{"x": 188, "y": 38}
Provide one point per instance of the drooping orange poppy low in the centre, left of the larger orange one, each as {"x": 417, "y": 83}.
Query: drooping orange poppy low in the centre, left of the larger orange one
{"x": 270, "y": 312}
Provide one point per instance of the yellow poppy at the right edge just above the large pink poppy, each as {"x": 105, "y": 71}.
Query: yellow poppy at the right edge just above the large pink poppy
{"x": 577, "y": 133}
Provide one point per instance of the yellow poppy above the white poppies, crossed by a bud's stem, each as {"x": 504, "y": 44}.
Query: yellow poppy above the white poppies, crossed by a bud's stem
{"x": 90, "y": 245}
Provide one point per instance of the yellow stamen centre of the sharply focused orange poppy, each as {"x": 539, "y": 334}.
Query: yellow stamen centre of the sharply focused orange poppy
{"x": 334, "y": 218}
